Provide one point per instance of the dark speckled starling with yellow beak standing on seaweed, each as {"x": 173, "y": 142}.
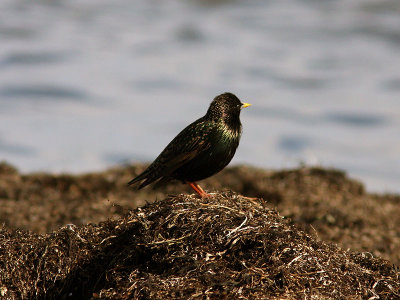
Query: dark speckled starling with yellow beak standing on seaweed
{"x": 200, "y": 150}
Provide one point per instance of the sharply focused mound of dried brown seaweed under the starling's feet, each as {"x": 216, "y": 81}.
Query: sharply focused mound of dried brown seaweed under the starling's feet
{"x": 183, "y": 247}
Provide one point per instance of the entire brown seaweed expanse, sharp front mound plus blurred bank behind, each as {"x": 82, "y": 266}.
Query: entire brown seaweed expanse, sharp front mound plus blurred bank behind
{"x": 311, "y": 233}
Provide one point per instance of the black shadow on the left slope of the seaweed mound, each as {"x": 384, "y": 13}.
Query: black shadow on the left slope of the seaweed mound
{"x": 87, "y": 278}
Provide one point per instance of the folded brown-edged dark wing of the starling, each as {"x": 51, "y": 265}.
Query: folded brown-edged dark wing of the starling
{"x": 183, "y": 148}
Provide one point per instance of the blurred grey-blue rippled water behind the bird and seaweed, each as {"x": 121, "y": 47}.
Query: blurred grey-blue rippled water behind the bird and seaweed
{"x": 89, "y": 84}
